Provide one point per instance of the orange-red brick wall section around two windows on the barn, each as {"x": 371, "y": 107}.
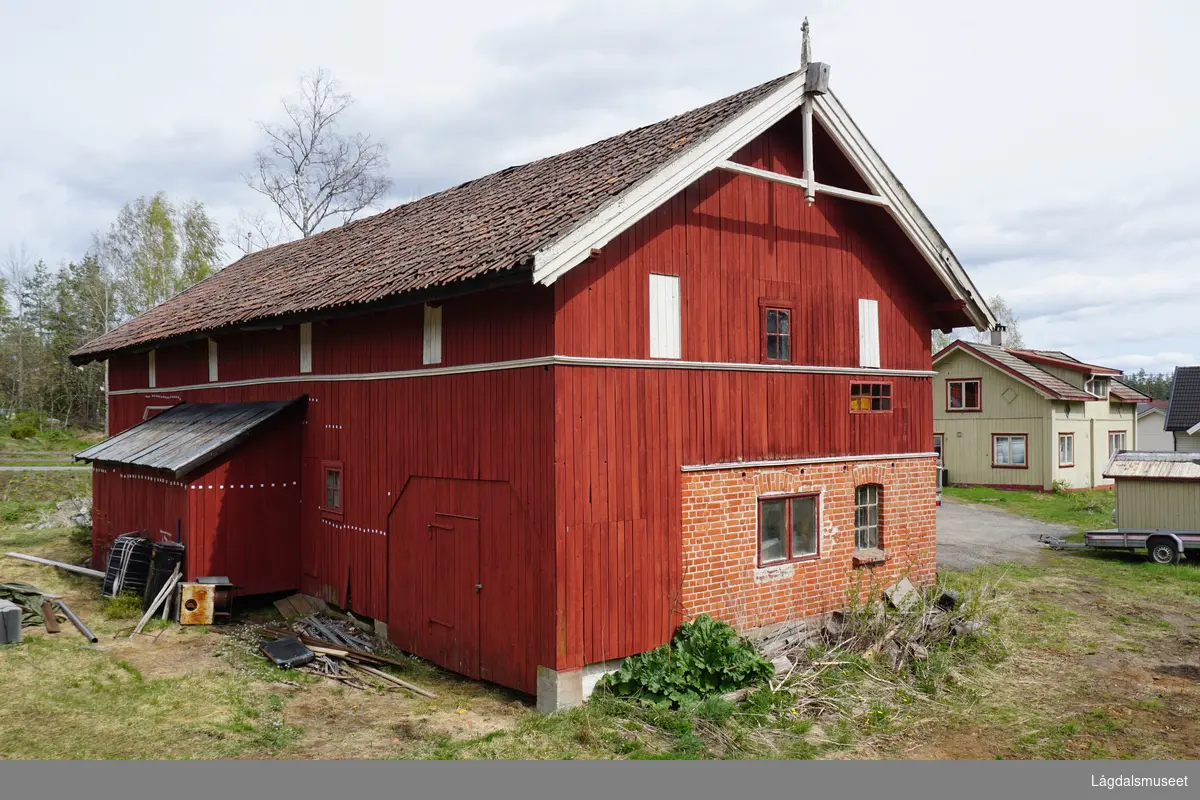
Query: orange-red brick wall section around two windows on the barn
{"x": 721, "y": 539}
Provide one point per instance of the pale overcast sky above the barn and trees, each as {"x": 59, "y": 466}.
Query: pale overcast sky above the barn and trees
{"x": 1054, "y": 145}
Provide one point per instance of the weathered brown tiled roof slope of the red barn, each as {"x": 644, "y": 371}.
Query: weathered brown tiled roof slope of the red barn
{"x": 481, "y": 228}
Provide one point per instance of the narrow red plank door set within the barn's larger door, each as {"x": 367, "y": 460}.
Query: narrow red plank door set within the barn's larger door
{"x": 452, "y": 591}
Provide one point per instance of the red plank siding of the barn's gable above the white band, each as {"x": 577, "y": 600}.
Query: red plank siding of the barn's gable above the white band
{"x": 735, "y": 239}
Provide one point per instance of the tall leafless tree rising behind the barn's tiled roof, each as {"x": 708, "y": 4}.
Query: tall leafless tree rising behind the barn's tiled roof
{"x": 309, "y": 170}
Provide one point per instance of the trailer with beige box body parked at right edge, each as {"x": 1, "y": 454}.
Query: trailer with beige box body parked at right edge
{"x": 1157, "y": 508}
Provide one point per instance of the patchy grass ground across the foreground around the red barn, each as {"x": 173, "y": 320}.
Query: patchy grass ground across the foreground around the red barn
{"x": 1088, "y": 657}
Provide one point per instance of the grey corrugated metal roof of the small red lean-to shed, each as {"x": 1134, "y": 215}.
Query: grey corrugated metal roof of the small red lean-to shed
{"x": 187, "y": 437}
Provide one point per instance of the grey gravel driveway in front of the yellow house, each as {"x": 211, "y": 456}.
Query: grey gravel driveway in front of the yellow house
{"x": 970, "y": 534}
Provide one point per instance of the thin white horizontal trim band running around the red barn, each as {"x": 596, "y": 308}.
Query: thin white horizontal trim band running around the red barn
{"x": 541, "y": 362}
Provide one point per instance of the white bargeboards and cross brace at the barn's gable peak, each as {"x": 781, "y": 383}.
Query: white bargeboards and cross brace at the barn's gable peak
{"x": 713, "y": 153}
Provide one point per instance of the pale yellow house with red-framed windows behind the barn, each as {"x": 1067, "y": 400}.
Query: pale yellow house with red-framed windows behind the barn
{"x": 1025, "y": 419}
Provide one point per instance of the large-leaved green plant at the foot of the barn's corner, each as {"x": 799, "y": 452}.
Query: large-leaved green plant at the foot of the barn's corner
{"x": 706, "y": 658}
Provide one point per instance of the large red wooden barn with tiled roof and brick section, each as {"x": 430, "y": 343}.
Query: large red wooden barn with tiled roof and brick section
{"x": 553, "y": 412}
